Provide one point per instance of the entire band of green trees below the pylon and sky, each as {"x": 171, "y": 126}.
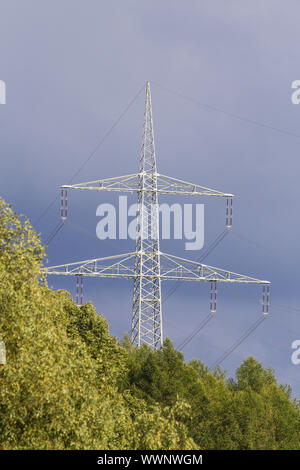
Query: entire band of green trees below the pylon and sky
{"x": 69, "y": 384}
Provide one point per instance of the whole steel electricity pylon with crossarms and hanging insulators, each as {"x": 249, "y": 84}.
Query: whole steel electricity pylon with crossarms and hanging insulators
{"x": 147, "y": 266}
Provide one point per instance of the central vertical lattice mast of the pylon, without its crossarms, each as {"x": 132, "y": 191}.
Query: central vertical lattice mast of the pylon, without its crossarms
{"x": 146, "y": 310}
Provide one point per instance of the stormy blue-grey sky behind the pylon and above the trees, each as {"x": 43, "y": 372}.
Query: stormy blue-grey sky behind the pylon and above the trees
{"x": 71, "y": 67}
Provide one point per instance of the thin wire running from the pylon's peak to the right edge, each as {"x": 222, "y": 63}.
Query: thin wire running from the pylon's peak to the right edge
{"x": 227, "y": 113}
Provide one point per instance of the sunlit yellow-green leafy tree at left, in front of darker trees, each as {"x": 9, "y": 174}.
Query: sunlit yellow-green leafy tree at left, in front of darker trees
{"x": 59, "y": 389}
